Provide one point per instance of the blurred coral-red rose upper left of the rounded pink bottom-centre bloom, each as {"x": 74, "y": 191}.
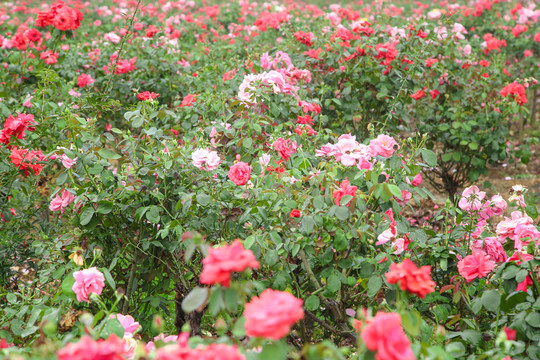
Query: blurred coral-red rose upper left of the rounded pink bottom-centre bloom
{"x": 221, "y": 262}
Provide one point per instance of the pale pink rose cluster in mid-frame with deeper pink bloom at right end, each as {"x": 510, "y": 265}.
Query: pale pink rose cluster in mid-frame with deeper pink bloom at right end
{"x": 350, "y": 152}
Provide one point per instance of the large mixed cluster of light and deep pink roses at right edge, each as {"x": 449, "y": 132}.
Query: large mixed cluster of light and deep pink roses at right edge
{"x": 489, "y": 251}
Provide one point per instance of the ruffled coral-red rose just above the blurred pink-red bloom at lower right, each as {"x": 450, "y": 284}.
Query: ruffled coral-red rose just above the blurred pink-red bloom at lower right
{"x": 410, "y": 278}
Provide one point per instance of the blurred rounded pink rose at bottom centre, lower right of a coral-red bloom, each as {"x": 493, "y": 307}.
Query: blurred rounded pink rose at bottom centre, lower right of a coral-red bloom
{"x": 272, "y": 314}
